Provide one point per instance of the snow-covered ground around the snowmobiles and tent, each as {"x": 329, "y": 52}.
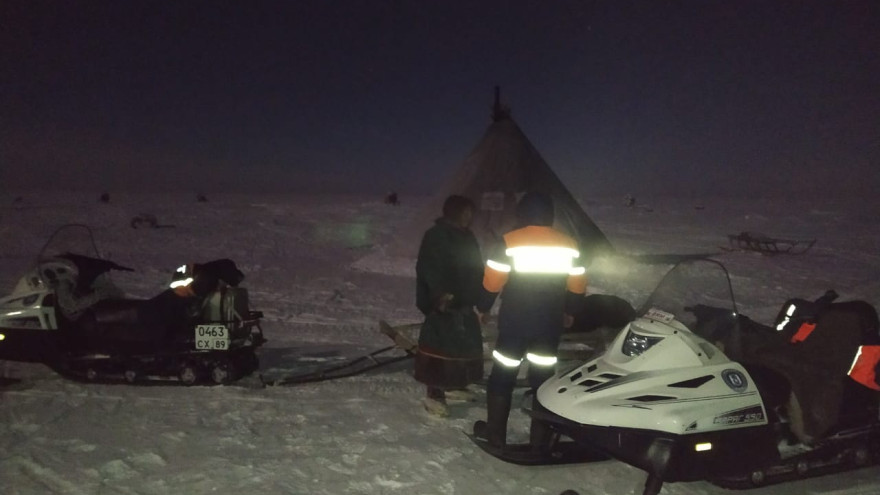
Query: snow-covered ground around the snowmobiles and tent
{"x": 314, "y": 266}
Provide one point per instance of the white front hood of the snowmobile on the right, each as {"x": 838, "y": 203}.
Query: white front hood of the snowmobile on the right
{"x": 657, "y": 375}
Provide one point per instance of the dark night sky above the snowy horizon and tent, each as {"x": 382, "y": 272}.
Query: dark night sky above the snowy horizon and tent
{"x": 742, "y": 97}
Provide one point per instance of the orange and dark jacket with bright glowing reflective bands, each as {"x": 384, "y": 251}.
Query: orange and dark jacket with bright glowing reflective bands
{"x": 538, "y": 270}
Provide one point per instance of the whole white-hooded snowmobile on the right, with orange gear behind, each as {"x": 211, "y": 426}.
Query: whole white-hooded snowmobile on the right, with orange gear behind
{"x": 692, "y": 390}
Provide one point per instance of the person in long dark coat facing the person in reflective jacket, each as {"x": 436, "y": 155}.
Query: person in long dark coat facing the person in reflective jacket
{"x": 449, "y": 274}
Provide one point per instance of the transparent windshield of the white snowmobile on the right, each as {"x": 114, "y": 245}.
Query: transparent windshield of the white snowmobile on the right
{"x": 696, "y": 293}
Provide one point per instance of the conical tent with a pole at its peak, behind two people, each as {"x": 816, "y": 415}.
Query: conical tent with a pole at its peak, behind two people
{"x": 504, "y": 166}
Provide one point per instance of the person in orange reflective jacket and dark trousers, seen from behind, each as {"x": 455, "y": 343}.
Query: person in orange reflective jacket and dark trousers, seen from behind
{"x": 543, "y": 284}
